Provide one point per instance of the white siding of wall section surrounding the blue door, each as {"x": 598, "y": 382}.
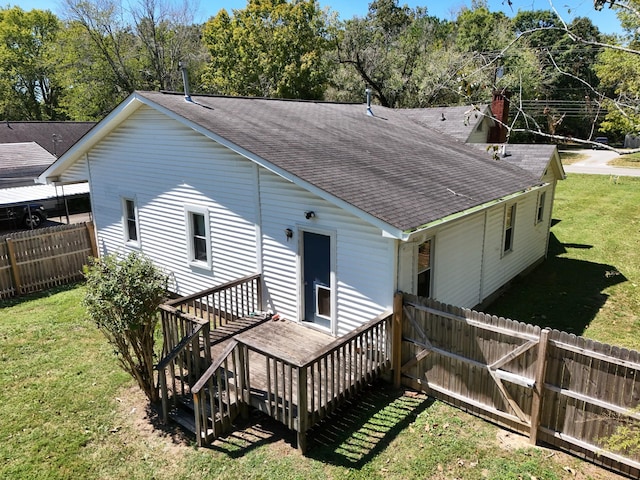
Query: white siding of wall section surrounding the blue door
{"x": 364, "y": 259}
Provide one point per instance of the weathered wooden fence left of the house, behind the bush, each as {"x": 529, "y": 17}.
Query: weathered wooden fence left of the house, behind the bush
{"x": 36, "y": 260}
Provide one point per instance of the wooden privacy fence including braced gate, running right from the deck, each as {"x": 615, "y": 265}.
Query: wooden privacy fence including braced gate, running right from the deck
{"x": 567, "y": 391}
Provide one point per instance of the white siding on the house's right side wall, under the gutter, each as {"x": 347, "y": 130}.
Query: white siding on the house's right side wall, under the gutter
{"x": 468, "y": 264}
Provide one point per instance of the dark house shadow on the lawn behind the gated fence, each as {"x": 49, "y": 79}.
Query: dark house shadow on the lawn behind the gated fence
{"x": 561, "y": 293}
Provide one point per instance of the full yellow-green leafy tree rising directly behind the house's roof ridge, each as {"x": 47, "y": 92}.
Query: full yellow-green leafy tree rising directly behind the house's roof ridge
{"x": 272, "y": 48}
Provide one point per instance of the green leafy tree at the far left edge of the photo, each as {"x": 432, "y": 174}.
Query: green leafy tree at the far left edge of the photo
{"x": 29, "y": 88}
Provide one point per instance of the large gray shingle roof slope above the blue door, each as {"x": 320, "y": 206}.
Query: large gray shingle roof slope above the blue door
{"x": 387, "y": 165}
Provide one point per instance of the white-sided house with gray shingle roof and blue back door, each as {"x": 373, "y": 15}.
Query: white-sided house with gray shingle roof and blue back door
{"x": 337, "y": 209}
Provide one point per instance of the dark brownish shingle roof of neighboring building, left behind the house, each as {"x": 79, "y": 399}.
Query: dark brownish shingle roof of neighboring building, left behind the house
{"x": 55, "y": 137}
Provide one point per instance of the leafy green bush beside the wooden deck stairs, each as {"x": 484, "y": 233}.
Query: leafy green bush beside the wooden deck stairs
{"x": 122, "y": 299}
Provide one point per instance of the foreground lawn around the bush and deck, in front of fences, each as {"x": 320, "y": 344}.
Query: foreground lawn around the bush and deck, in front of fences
{"x": 69, "y": 412}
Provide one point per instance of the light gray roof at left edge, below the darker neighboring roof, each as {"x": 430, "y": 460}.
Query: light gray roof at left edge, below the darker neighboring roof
{"x": 21, "y": 163}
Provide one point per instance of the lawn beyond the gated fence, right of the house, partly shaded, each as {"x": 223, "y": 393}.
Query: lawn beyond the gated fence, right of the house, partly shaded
{"x": 590, "y": 283}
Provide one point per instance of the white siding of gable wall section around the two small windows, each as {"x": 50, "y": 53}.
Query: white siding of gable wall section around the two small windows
{"x": 169, "y": 166}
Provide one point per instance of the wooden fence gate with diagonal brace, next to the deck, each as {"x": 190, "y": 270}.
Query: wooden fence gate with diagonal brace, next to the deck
{"x": 482, "y": 367}
